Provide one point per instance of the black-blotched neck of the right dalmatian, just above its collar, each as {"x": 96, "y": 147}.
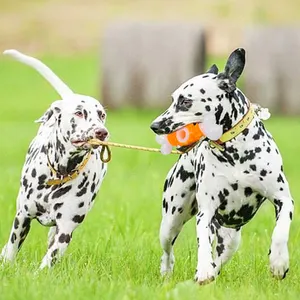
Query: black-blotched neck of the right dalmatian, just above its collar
{"x": 229, "y": 114}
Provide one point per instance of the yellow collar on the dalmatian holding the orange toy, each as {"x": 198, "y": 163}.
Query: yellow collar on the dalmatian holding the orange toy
{"x": 235, "y": 130}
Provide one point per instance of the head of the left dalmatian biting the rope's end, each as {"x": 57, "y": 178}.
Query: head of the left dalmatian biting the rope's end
{"x": 77, "y": 120}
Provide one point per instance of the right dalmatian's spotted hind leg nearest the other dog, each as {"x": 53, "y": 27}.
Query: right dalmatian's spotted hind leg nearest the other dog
{"x": 179, "y": 205}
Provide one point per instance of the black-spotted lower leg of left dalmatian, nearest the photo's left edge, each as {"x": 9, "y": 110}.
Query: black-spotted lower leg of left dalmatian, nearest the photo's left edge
{"x": 19, "y": 231}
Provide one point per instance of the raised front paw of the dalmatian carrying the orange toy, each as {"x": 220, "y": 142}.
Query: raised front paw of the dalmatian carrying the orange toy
{"x": 279, "y": 263}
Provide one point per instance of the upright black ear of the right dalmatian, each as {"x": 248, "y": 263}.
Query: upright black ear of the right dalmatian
{"x": 233, "y": 70}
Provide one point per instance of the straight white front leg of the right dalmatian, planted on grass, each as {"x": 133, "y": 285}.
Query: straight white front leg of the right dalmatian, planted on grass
{"x": 206, "y": 271}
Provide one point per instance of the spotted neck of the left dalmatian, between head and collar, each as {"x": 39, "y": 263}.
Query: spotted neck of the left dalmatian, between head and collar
{"x": 62, "y": 155}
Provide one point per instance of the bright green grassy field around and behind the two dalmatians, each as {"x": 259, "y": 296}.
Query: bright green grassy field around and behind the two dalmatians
{"x": 115, "y": 254}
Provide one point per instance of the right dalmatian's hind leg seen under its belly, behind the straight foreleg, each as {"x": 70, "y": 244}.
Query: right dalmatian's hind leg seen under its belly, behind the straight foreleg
{"x": 227, "y": 243}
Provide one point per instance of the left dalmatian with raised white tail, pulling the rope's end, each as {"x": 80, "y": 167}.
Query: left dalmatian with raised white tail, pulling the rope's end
{"x": 62, "y": 172}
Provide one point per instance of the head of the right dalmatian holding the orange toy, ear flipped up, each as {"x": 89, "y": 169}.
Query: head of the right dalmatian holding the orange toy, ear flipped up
{"x": 205, "y": 99}
